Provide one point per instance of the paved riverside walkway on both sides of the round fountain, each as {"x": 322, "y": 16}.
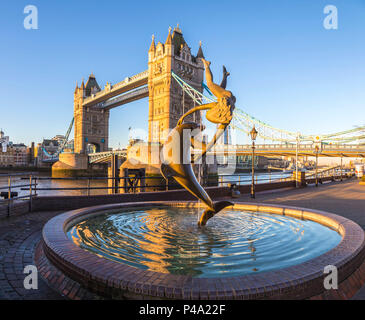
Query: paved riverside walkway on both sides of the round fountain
{"x": 19, "y": 235}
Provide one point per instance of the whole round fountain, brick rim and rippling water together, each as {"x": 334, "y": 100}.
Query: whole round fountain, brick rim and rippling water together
{"x": 156, "y": 250}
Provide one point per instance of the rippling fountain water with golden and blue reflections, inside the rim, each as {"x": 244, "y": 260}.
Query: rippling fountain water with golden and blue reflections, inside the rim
{"x": 233, "y": 242}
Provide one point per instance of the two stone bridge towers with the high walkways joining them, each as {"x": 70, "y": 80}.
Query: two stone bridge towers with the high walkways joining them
{"x": 167, "y": 99}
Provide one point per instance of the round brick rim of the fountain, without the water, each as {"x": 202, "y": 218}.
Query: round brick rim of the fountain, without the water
{"x": 114, "y": 279}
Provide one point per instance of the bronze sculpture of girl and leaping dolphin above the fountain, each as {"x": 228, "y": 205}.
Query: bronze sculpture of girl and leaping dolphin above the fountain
{"x": 176, "y": 155}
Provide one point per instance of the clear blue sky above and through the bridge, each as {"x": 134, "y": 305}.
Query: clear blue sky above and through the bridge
{"x": 286, "y": 68}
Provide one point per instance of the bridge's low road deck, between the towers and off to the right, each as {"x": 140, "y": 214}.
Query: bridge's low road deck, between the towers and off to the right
{"x": 348, "y": 150}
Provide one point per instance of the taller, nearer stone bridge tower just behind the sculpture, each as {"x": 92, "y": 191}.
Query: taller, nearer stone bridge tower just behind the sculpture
{"x": 167, "y": 102}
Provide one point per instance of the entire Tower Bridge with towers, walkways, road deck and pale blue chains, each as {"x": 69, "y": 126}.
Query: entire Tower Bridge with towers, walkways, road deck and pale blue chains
{"x": 174, "y": 84}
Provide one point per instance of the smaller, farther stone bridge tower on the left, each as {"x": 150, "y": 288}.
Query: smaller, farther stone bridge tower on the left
{"x": 91, "y": 123}
